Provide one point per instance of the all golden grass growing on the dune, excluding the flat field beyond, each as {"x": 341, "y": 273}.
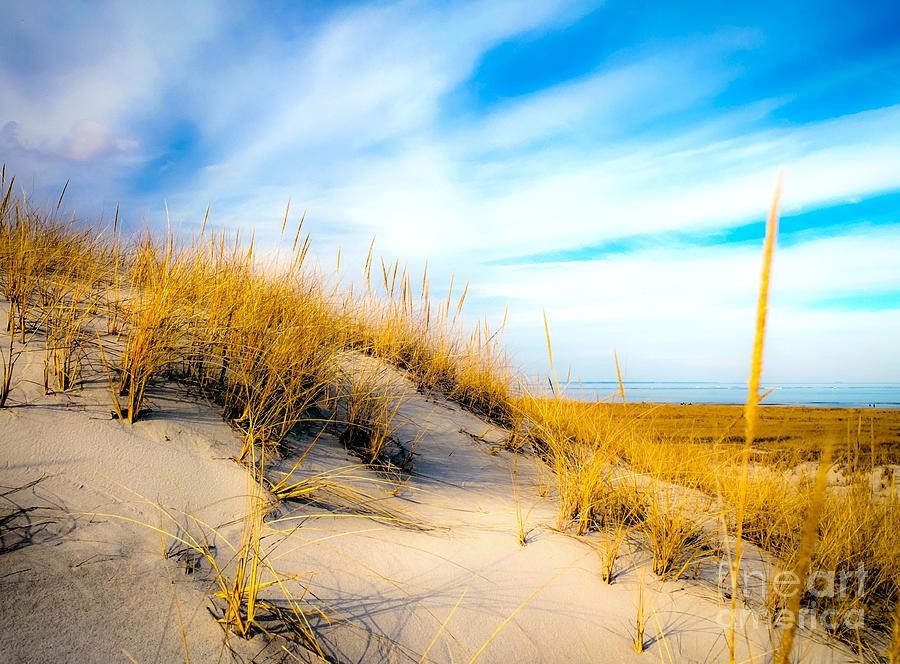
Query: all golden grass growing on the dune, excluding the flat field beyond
{"x": 264, "y": 340}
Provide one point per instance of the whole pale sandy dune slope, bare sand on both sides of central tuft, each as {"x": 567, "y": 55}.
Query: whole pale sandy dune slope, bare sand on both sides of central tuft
{"x": 447, "y": 569}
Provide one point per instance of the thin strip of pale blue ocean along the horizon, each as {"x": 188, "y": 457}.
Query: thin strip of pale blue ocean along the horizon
{"x": 848, "y": 395}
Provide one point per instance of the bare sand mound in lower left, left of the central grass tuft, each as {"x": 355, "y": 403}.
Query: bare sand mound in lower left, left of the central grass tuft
{"x": 79, "y": 587}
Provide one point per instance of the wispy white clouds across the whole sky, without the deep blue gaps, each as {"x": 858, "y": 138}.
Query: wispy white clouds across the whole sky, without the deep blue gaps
{"x": 348, "y": 118}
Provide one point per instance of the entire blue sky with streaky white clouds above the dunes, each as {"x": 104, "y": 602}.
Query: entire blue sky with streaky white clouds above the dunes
{"x": 610, "y": 164}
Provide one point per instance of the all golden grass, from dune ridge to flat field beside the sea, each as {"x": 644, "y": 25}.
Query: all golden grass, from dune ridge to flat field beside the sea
{"x": 268, "y": 346}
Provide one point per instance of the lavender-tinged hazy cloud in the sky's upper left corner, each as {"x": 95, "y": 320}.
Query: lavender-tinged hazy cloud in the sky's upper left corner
{"x": 76, "y": 85}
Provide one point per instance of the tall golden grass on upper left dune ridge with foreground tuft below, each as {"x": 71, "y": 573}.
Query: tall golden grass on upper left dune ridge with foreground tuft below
{"x": 262, "y": 339}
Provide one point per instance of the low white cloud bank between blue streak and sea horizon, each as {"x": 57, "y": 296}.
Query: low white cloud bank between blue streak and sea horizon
{"x": 690, "y": 313}
